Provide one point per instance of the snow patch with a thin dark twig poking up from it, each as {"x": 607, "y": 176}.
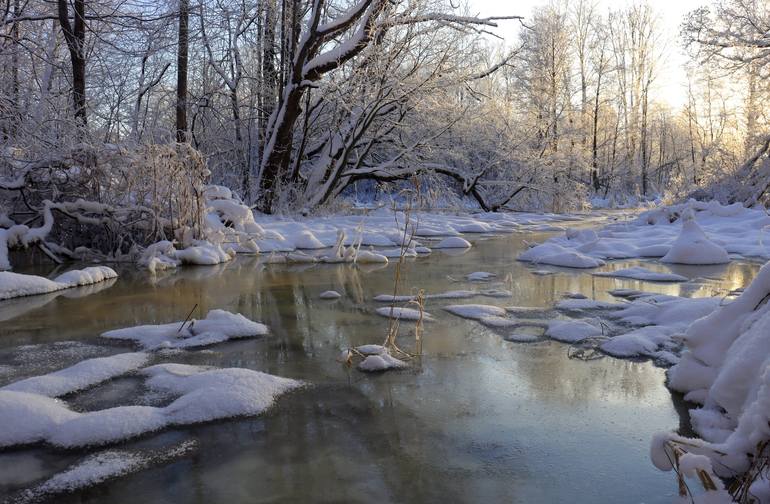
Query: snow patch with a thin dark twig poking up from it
{"x": 218, "y": 326}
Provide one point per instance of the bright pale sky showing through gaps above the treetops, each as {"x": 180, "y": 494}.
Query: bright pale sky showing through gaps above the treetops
{"x": 672, "y": 80}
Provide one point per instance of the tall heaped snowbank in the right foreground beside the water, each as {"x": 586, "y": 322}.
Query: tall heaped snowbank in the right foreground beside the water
{"x": 726, "y": 369}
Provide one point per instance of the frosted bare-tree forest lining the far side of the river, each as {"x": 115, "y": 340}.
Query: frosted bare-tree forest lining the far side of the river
{"x": 114, "y": 113}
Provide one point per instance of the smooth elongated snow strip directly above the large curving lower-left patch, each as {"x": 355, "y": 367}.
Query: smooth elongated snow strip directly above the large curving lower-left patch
{"x": 82, "y": 375}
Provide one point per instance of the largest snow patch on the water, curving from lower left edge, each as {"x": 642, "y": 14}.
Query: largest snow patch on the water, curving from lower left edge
{"x": 203, "y": 395}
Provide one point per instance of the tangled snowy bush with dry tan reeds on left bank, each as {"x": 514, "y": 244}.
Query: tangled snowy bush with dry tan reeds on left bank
{"x": 101, "y": 200}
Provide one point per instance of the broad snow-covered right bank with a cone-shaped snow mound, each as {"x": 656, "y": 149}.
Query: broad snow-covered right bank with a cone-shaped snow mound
{"x": 690, "y": 233}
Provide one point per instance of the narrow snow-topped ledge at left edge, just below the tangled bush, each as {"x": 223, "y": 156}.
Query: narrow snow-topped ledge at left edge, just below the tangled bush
{"x": 16, "y": 285}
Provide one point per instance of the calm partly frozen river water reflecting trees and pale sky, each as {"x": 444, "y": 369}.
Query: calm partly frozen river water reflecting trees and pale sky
{"x": 477, "y": 419}
